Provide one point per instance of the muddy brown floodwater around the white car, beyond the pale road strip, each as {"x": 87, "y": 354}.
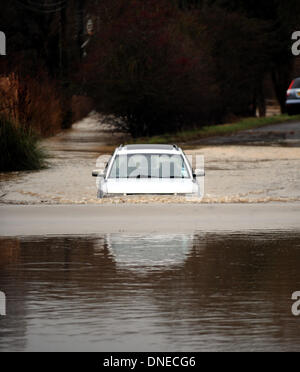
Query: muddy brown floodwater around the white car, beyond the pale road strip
{"x": 263, "y": 169}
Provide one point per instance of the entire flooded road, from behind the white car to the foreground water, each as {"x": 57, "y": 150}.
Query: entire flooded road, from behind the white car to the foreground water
{"x": 216, "y": 276}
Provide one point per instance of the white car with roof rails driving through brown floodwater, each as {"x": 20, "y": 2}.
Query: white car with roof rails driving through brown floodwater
{"x": 148, "y": 169}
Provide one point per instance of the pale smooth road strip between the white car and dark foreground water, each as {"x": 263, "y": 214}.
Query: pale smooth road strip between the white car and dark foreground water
{"x": 155, "y": 218}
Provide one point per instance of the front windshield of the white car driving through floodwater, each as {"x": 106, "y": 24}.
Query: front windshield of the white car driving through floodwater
{"x": 149, "y": 166}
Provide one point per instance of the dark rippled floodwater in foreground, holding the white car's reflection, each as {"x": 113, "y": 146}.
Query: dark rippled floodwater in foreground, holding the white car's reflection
{"x": 120, "y": 292}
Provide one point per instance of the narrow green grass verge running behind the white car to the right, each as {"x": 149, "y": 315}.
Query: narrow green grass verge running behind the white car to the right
{"x": 215, "y": 130}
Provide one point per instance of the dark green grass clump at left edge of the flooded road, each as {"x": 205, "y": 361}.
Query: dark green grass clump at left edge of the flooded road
{"x": 19, "y": 149}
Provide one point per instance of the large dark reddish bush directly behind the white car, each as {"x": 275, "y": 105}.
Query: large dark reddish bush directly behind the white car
{"x": 148, "y": 69}
